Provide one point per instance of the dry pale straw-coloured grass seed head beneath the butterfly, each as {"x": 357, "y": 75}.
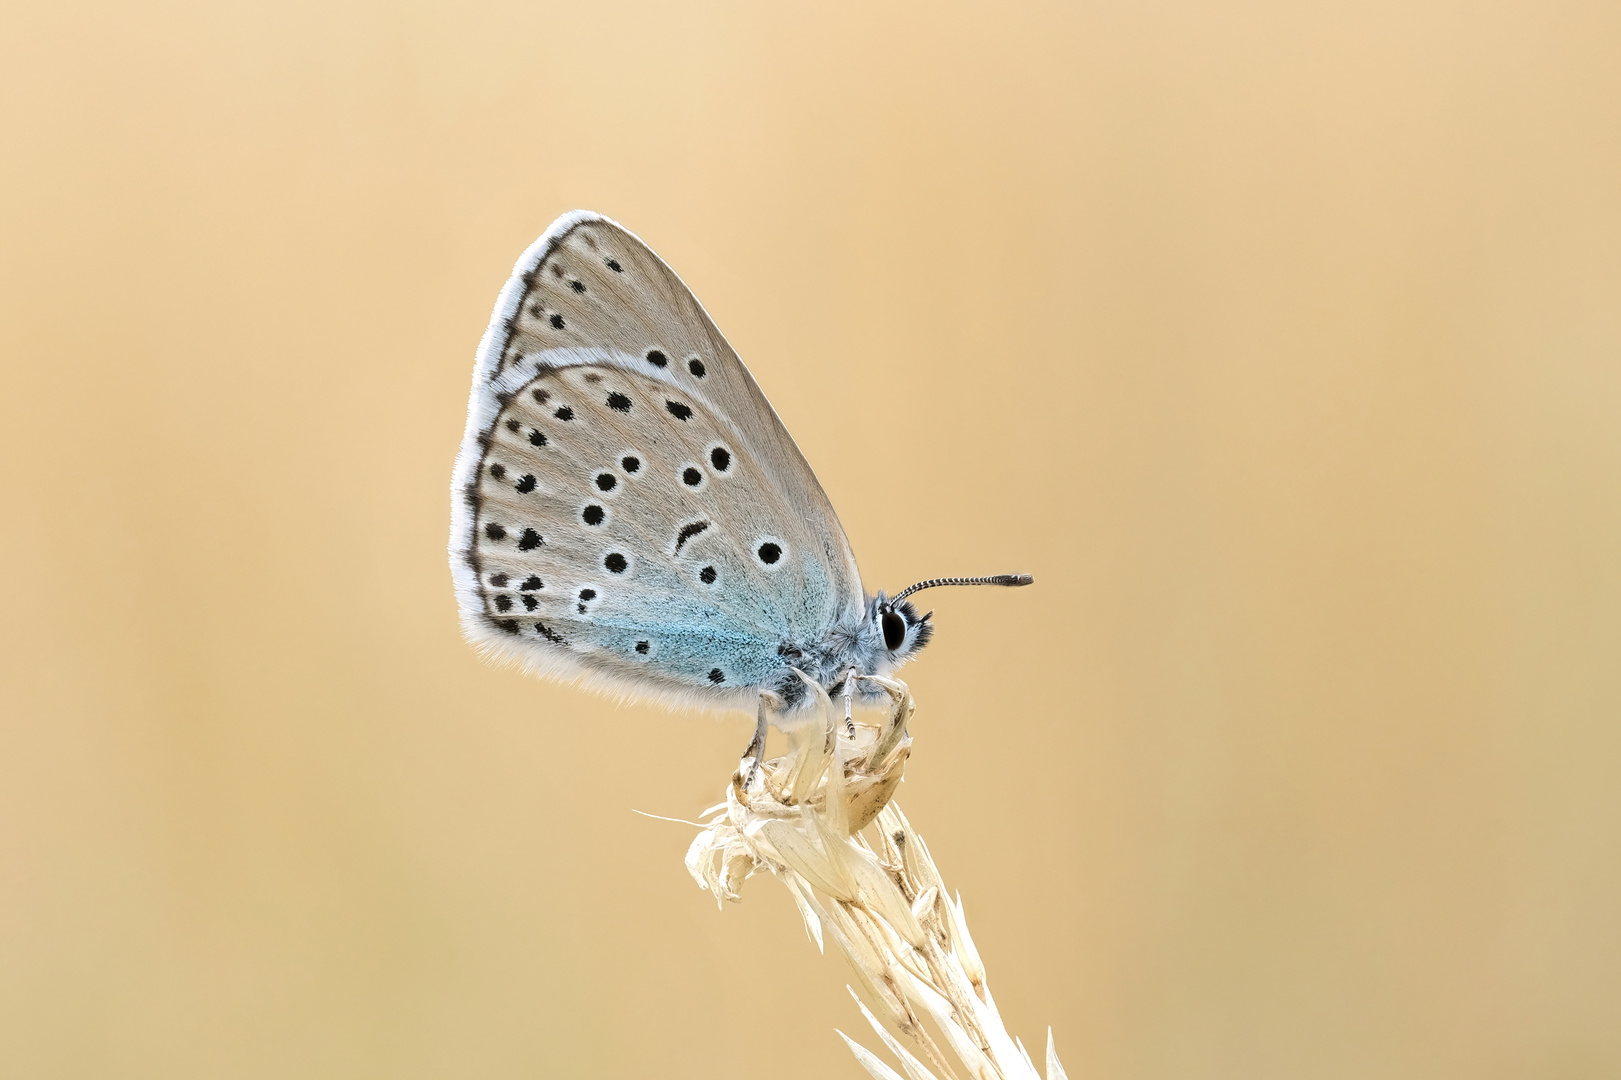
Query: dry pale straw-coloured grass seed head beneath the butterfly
{"x": 805, "y": 818}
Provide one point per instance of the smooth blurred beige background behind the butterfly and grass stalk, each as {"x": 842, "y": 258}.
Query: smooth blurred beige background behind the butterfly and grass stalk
{"x": 1281, "y": 343}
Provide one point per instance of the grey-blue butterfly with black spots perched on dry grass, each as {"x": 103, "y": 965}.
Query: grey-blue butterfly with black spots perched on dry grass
{"x": 630, "y": 513}
